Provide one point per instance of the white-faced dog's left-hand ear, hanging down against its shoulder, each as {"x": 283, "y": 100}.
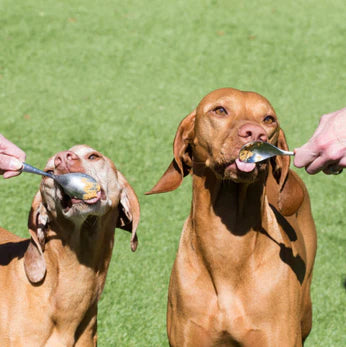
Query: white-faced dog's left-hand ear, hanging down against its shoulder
{"x": 34, "y": 262}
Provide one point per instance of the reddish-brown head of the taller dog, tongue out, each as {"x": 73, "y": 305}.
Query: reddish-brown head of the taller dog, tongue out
{"x": 212, "y": 135}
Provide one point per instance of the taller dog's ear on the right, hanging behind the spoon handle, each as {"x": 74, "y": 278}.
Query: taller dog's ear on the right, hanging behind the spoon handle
{"x": 290, "y": 191}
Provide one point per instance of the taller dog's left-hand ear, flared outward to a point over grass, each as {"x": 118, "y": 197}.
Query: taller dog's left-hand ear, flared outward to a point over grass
{"x": 182, "y": 163}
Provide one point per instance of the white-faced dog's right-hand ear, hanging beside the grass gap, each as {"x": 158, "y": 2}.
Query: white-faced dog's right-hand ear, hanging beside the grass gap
{"x": 129, "y": 210}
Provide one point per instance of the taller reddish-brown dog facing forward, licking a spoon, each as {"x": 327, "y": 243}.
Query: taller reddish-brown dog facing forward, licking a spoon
{"x": 243, "y": 269}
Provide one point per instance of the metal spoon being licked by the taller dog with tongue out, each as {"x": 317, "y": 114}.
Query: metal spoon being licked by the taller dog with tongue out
{"x": 254, "y": 152}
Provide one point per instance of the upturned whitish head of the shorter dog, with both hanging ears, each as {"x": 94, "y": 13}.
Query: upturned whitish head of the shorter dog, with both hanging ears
{"x": 115, "y": 201}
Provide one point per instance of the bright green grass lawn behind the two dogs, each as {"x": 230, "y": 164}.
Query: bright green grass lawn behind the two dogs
{"x": 120, "y": 75}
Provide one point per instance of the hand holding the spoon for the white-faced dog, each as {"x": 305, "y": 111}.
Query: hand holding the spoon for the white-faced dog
{"x": 11, "y": 158}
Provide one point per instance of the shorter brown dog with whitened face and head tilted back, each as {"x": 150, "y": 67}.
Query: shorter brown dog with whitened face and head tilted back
{"x": 50, "y": 284}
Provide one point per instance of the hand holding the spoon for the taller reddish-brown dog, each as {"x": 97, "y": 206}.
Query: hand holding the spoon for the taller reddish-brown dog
{"x": 326, "y": 149}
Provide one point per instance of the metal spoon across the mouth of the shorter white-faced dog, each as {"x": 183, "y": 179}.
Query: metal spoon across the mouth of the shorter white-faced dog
{"x": 75, "y": 184}
